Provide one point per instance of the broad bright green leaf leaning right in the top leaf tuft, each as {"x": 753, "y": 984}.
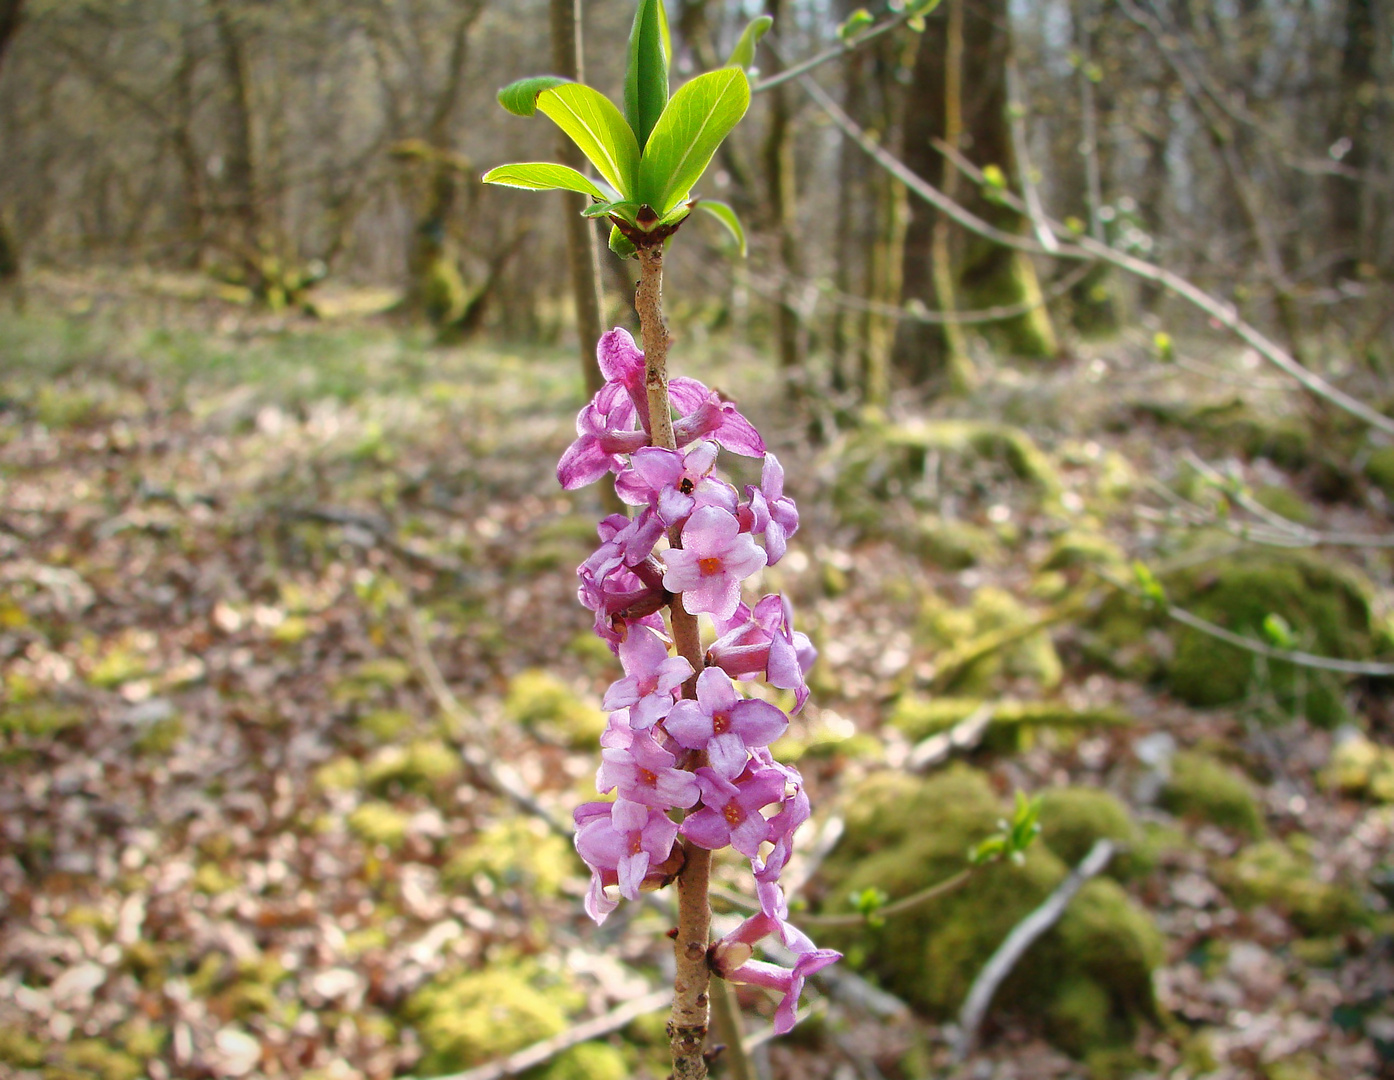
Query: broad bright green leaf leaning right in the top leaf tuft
{"x": 688, "y": 134}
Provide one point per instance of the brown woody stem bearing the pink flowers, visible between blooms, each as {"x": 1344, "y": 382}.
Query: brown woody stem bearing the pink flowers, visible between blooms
{"x": 688, "y": 1026}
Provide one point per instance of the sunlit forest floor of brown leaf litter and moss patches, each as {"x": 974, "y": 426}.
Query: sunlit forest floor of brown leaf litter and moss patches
{"x": 268, "y": 587}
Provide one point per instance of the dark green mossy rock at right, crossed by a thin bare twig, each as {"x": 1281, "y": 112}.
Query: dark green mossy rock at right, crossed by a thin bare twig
{"x": 1326, "y": 605}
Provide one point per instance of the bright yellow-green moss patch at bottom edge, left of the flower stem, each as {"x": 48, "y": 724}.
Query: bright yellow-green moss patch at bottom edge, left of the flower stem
{"x": 469, "y": 1019}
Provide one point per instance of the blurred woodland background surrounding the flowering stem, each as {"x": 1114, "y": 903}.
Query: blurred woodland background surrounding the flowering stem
{"x": 1096, "y": 505}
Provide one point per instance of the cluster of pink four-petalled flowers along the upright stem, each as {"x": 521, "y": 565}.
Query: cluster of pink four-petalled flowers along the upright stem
{"x": 707, "y": 755}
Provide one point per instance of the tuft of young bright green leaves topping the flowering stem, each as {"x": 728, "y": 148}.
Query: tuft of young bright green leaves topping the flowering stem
{"x": 650, "y": 155}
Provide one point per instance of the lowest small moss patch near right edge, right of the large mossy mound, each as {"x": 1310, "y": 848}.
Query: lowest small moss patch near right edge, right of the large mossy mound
{"x": 1273, "y": 873}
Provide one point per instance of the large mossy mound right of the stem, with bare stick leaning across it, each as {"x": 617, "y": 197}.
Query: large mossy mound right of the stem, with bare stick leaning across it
{"x": 904, "y": 835}
